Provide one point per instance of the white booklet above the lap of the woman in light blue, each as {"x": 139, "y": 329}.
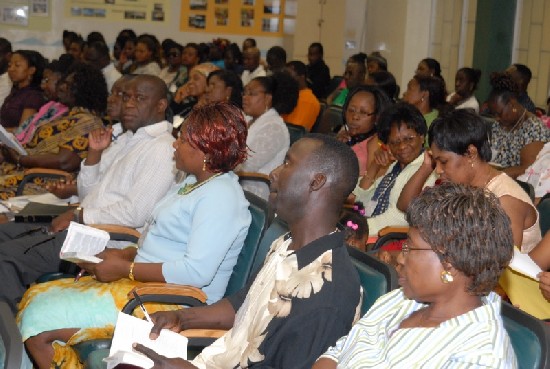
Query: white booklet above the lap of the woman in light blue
{"x": 83, "y": 243}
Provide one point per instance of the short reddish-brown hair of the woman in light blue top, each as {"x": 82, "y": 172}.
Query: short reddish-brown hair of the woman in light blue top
{"x": 219, "y": 130}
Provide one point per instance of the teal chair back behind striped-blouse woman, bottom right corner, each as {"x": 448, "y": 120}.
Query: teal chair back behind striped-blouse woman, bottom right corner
{"x": 530, "y": 337}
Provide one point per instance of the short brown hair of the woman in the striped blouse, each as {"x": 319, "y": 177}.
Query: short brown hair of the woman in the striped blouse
{"x": 467, "y": 228}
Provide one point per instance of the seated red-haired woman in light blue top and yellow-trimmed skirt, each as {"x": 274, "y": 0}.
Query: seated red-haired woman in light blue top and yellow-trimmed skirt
{"x": 194, "y": 237}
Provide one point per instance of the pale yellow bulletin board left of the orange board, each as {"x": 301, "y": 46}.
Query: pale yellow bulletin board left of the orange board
{"x": 118, "y": 10}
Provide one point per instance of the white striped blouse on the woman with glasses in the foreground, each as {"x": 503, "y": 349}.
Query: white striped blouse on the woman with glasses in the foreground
{"x": 476, "y": 339}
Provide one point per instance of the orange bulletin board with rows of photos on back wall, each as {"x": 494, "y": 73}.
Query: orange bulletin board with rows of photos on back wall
{"x": 244, "y": 17}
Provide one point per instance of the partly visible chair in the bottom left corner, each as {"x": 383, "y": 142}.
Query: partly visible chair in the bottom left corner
{"x": 11, "y": 338}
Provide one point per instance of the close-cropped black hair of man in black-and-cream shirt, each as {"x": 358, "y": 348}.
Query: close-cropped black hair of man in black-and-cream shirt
{"x": 338, "y": 162}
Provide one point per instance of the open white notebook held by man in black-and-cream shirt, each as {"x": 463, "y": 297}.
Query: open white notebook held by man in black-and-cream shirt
{"x": 129, "y": 330}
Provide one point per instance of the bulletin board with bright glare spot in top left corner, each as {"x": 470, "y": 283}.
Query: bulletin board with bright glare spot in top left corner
{"x": 32, "y": 15}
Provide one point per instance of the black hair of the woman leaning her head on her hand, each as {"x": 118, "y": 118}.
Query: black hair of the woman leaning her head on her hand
{"x": 457, "y": 130}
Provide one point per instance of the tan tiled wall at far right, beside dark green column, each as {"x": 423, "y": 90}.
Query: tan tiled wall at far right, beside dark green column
{"x": 533, "y": 47}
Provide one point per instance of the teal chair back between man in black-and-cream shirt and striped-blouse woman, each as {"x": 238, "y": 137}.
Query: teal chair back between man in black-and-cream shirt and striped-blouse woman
{"x": 377, "y": 277}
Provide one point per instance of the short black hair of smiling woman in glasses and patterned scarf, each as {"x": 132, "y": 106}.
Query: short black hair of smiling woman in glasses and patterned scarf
{"x": 397, "y": 115}
